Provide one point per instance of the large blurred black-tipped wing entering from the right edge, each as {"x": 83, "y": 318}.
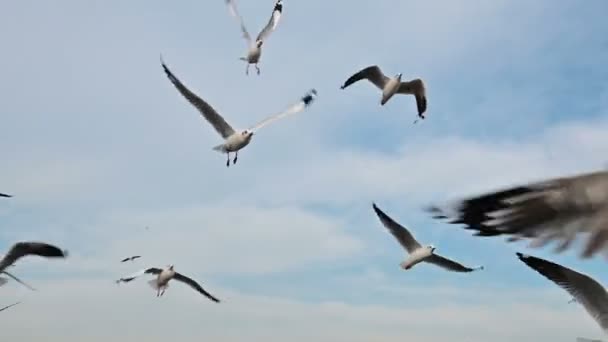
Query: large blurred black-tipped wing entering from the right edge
{"x": 555, "y": 209}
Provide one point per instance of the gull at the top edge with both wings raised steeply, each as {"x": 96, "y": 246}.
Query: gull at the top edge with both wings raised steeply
{"x": 255, "y": 47}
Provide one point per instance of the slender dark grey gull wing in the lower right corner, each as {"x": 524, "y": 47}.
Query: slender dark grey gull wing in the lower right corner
{"x": 585, "y": 289}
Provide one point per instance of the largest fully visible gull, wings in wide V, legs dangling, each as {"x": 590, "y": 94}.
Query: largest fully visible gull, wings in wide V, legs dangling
{"x": 234, "y": 139}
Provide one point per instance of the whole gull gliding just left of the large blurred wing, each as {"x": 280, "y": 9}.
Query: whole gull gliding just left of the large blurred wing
{"x": 418, "y": 253}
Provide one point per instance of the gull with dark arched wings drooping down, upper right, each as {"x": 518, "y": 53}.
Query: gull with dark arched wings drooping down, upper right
{"x": 391, "y": 86}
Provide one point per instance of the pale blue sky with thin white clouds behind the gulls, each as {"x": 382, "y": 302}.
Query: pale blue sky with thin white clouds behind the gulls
{"x": 98, "y": 145}
